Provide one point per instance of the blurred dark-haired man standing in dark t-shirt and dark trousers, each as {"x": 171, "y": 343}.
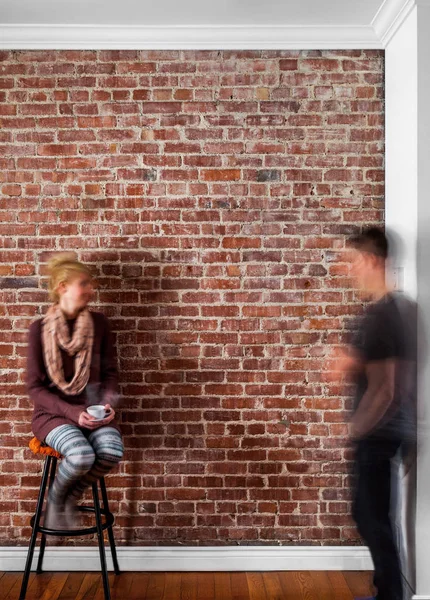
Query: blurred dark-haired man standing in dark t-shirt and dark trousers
{"x": 383, "y": 360}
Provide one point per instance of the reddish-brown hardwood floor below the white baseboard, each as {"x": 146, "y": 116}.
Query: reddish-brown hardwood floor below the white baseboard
{"x": 306, "y": 585}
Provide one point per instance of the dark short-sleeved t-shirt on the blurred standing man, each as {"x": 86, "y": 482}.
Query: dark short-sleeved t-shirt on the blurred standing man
{"x": 387, "y": 330}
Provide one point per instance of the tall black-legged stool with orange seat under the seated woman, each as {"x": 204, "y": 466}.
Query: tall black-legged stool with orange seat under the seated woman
{"x": 49, "y": 472}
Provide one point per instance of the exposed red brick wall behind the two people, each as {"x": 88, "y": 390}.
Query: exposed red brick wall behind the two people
{"x": 210, "y": 192}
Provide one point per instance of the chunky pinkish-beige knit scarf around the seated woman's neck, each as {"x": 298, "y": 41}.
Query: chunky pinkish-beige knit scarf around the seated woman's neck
{"x": 55, "y": 335}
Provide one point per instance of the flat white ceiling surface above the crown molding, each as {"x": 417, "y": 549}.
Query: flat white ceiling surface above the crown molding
{"x": 191, "y": 12}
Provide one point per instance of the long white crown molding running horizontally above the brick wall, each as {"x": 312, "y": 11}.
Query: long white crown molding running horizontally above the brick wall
{"x": 88, "y": 37}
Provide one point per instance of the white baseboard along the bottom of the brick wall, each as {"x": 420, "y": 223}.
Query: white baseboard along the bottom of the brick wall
{"x": 215, "y": 558}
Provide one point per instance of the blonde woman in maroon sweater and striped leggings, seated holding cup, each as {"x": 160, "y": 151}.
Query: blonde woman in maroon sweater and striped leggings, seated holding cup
{"x": 70, "y": 366}
